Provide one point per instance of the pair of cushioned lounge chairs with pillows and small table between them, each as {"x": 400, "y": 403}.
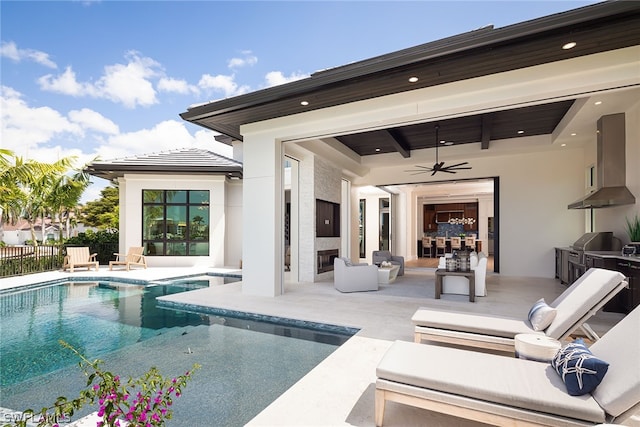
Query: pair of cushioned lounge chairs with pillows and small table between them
{"x": 580, "y": 386}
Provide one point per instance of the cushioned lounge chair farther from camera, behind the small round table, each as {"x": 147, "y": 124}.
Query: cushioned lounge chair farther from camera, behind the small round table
{"x": 573, "y": 308}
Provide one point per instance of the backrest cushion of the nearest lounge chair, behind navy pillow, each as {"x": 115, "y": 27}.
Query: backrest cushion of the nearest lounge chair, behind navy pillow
{"x": 620, "y": 388}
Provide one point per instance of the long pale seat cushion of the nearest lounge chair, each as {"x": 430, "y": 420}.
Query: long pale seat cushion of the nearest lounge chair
{"x": 508, "y": 381}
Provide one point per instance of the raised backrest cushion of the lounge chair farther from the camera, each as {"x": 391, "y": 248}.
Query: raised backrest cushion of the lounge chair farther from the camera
{"x": 581, "y": 297}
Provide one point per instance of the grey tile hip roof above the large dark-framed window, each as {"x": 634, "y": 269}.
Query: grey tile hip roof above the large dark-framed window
{"x": 182, "y": 160}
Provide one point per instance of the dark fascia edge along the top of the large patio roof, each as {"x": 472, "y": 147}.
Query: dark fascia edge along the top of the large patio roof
{"x": 451, "y": 45}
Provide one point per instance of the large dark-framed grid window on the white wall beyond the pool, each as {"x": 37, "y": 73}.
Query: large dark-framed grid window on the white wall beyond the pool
{"x": 175, "y": 222}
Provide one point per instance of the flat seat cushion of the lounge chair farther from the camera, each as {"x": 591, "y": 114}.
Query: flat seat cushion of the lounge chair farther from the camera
{"x": 474, "y": 323}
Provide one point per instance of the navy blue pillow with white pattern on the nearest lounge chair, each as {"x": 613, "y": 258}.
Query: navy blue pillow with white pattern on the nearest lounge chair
{"x": 579, "y": 369}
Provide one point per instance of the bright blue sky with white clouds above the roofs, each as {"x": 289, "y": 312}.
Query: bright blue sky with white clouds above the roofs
{"x": 109, "y": 78}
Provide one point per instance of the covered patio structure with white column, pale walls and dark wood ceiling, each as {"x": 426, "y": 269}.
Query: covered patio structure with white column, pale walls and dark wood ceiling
{"x": 518, "y": 103}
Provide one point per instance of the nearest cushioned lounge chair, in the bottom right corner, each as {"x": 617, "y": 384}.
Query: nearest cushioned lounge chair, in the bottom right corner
{"x": 503, "y": 391}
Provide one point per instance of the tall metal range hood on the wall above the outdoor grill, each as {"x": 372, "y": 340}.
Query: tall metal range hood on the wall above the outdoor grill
{"x": 610, "y": 167}
